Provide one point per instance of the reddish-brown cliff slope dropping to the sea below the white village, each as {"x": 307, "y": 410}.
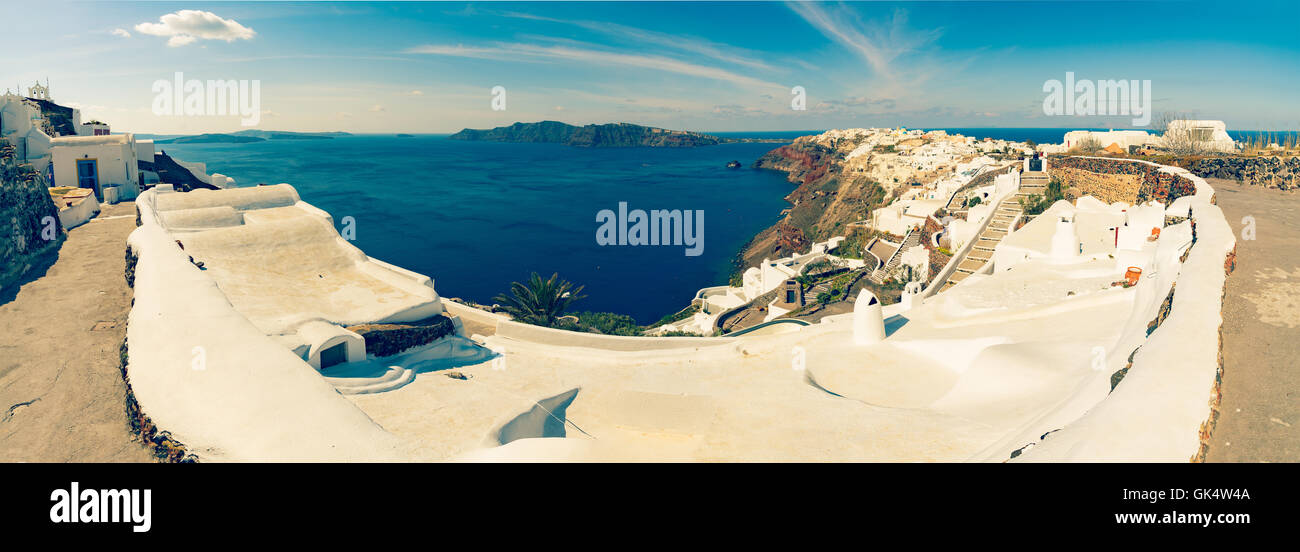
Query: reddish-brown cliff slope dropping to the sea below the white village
{"x": 827, "y": 198}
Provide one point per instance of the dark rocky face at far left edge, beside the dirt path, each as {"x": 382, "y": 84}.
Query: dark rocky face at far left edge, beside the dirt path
{"x": 29, "y": 220}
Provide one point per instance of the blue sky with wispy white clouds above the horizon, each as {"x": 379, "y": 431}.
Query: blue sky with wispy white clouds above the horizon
{"x": 704, "y": 67}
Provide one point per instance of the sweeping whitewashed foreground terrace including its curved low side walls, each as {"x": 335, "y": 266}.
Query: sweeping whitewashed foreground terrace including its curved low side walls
{"x": 981, "y": 372}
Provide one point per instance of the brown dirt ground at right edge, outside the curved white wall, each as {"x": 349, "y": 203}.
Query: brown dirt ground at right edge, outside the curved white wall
{"x": 1260, "y": 419}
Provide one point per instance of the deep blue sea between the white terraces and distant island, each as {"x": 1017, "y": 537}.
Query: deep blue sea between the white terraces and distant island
{"x": 478, "y": 216}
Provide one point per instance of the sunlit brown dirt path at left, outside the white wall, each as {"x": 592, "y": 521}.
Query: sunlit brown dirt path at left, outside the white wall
{"x": 62, "y": 395}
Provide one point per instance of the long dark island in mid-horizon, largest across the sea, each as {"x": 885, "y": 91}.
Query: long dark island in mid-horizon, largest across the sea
{"x": 610, "y": 136}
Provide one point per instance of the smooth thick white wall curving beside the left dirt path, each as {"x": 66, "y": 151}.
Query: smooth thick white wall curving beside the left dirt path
{"x": 202, "y": 372}
